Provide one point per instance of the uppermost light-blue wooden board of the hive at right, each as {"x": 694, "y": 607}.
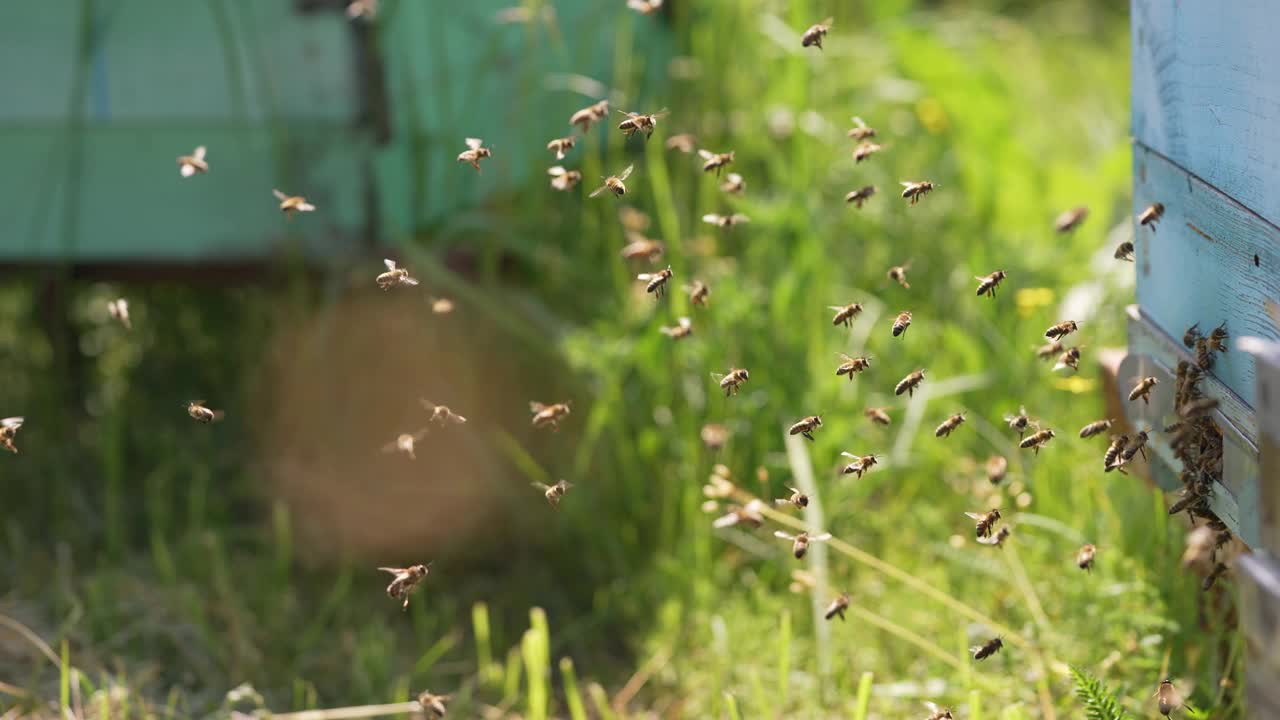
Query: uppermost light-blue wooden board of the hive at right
{"x": 1206, "y": 93}
